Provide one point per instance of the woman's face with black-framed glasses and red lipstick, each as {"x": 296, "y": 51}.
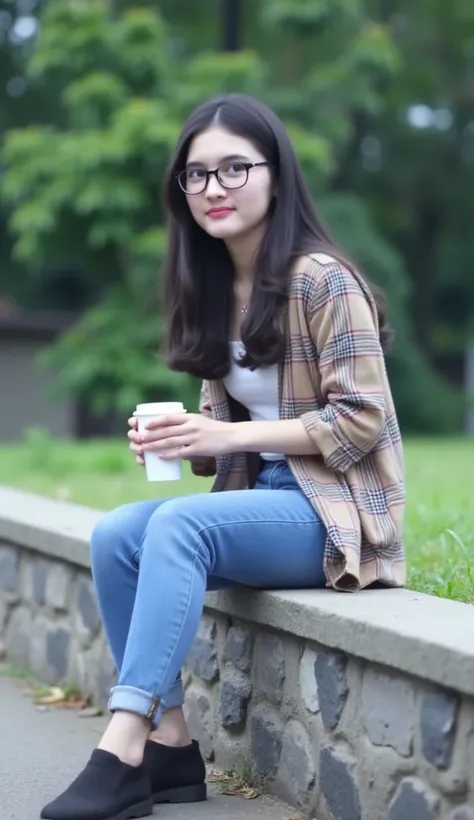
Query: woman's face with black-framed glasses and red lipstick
{"x": 226, "y": 213}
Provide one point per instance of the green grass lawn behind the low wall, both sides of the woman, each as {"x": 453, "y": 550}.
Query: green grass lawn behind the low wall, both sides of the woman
{"x": 440, "y": 511}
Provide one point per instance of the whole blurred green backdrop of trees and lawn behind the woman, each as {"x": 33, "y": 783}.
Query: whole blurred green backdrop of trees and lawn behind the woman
{"x": 378, "y": 98}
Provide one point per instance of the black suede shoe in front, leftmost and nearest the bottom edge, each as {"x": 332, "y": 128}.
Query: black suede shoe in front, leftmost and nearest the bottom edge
{"x": 106, "y": 789}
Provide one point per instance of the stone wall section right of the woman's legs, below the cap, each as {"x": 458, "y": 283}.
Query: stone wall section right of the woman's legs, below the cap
{"x": 347, "y": 738}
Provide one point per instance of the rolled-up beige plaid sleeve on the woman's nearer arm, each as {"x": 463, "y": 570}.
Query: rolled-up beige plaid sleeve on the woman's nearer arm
{"x": 344, "y": 330}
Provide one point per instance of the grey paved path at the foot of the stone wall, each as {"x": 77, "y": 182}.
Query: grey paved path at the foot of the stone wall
{"x": 41, "y": 752}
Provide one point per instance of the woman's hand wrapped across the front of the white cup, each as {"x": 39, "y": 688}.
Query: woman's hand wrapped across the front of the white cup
{"x": 186, "y": 436}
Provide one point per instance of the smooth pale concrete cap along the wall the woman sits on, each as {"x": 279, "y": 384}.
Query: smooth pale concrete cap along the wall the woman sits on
{"x": 431, "y": 638}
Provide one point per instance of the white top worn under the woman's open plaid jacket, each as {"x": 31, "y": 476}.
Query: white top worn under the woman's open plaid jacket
{"x": 256, "y": 389}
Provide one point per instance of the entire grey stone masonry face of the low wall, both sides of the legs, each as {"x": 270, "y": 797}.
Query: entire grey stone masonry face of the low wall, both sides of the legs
{"x": 337, "y": 736}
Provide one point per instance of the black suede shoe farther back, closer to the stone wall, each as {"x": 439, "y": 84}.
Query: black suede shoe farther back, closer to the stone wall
{"x": 178, "y": 774}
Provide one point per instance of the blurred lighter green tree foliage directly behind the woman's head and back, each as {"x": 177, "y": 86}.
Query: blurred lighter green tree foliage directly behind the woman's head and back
{"x": 84, "y": 190}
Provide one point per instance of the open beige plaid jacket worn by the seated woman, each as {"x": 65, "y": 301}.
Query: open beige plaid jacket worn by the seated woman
{"x": 333, "y": 377}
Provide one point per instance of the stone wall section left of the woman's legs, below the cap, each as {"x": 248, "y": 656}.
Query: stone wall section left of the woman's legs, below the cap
{"x": 50, "y": 623}
